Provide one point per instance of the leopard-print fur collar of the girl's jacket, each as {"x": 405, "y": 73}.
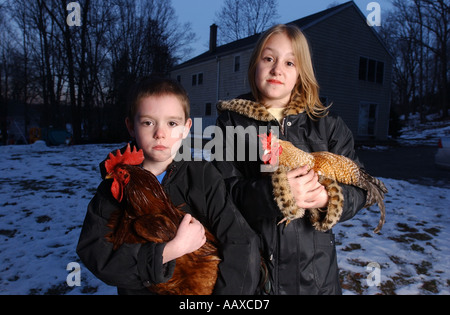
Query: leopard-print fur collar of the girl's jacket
{"x": 256, "y": 110}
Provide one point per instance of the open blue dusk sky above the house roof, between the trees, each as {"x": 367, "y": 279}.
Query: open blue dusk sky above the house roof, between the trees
{"x": 202, "y": 13}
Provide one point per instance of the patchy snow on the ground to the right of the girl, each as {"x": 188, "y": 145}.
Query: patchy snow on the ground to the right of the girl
{"x": 412, "y": 250}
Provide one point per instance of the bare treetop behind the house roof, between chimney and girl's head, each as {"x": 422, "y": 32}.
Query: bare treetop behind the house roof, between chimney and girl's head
{"x": 241, "y": 18}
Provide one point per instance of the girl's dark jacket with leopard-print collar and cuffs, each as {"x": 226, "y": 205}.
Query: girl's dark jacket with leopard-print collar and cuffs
{"x": 300, "y": 259}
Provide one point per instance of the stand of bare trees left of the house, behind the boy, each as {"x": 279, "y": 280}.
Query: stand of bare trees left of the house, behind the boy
{"x": 81, "y": 73}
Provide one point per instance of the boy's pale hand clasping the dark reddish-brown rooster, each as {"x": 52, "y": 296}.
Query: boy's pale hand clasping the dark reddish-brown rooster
{"x": 190, "y": 237}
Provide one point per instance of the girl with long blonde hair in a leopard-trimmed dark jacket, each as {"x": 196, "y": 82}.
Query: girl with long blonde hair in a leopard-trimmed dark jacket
{"x": 285, "y": 95}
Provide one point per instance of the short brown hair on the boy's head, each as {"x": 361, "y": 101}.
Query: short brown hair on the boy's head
{"x": 156, "y": 87}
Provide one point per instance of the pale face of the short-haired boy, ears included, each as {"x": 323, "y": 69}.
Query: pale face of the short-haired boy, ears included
{"x": 159, "y": 127}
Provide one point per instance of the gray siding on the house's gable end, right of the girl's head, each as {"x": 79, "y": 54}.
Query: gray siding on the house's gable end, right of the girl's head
{"x": 337, "y": 44}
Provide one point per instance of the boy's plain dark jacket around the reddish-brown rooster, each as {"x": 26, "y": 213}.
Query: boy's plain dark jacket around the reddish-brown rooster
{"x": 200, "y": 188}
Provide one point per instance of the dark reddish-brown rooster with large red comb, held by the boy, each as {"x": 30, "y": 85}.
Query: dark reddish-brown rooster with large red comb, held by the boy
{"x": 147, "y": 215}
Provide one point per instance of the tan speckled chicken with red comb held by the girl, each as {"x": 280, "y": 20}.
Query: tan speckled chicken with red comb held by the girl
{"x": 328, "y": 166}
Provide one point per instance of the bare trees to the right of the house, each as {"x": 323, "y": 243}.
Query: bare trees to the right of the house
{"x": 417, "y": 34}
